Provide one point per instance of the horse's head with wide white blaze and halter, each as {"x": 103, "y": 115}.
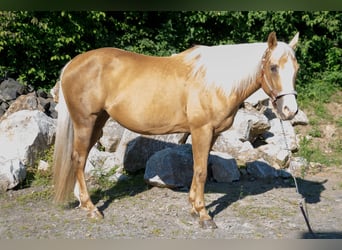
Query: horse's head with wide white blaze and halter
{"x": 279, "y": 69}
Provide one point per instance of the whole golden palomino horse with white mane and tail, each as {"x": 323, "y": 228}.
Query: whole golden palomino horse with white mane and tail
{"x": 197, "y": 91}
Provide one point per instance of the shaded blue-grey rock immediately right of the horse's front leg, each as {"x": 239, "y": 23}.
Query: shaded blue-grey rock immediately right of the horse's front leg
{"x": 223, "y": 167}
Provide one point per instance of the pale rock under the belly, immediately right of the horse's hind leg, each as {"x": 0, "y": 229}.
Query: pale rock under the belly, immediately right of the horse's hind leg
{"x": 112, "y": 134}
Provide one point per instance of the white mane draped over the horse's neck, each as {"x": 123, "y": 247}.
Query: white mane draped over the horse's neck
{"x": 228, "y": 67}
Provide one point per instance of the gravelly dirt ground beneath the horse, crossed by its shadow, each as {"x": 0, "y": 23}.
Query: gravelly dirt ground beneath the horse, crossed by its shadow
{"x": 248, "y": 209}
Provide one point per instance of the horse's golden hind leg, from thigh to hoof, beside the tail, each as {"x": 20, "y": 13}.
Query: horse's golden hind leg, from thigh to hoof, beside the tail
{"x": 85, "y": 136}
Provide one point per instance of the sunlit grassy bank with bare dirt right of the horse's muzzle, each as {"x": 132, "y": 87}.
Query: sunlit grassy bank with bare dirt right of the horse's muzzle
{"x": 314, "y": 99}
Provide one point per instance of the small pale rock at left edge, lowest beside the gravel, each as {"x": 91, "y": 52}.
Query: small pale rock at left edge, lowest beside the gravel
{"x": 12, "y": 172}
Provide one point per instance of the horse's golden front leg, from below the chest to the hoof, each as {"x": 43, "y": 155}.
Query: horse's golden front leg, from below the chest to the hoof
{"x": 201, "y": 143}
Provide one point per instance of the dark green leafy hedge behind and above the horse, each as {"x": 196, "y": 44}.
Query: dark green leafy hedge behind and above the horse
{"x": 34, "y": 46}
